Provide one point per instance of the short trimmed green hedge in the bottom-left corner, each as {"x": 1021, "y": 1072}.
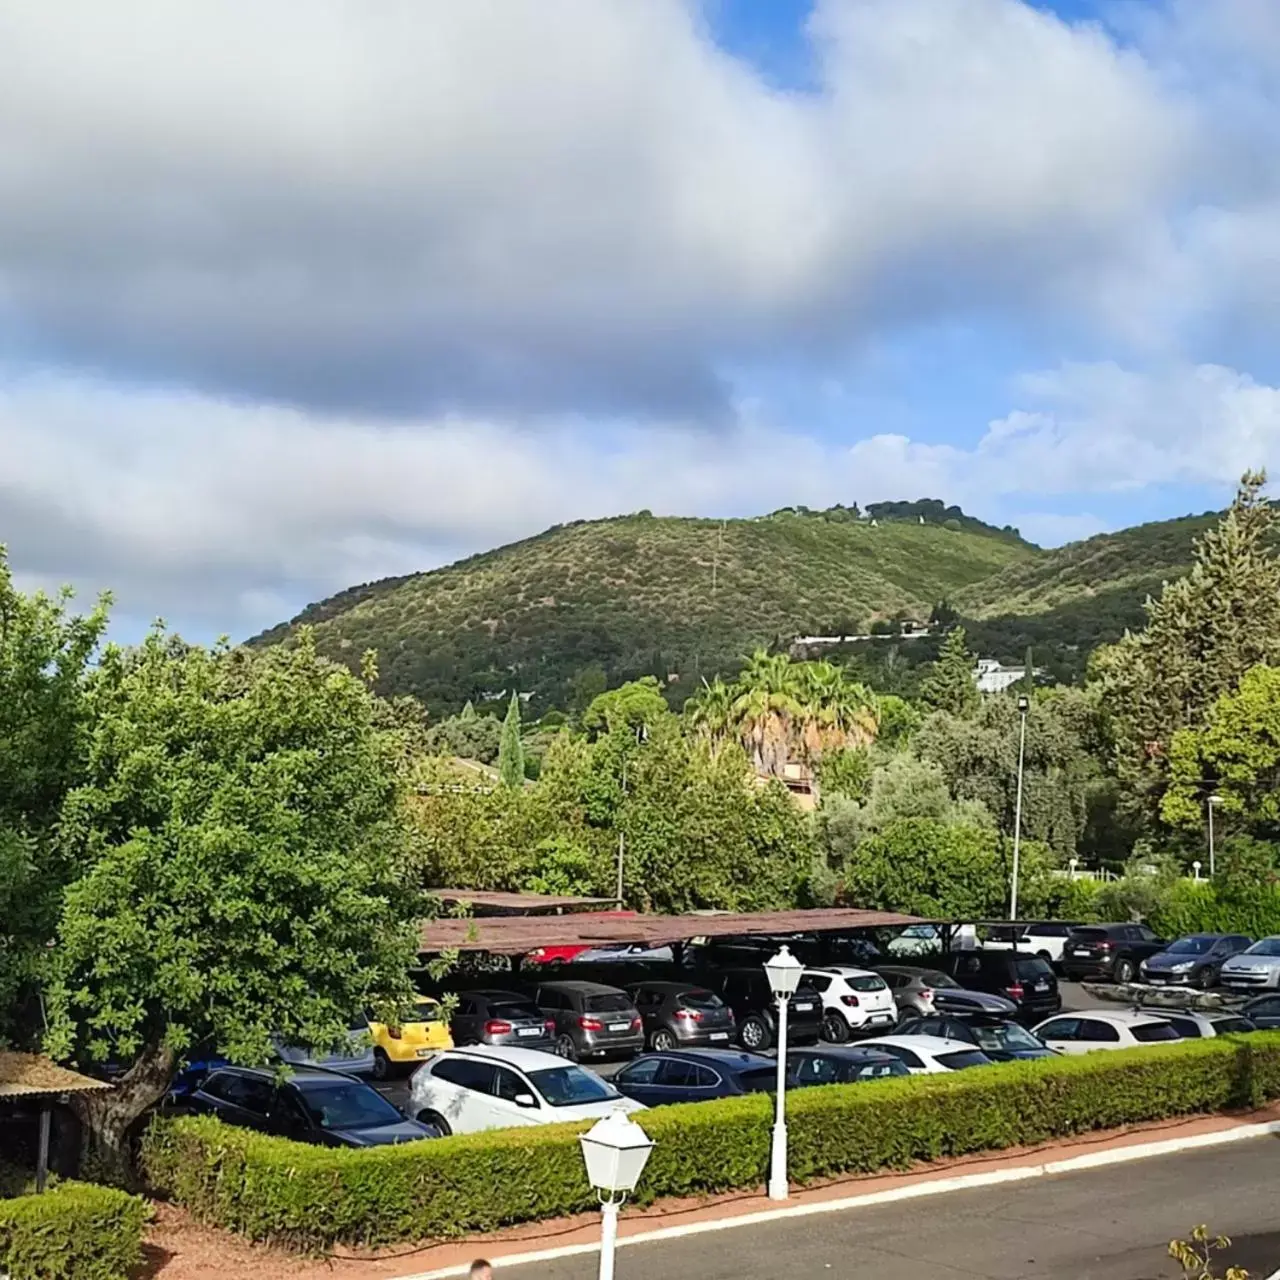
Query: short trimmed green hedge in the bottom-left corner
{"x": 74, "y": 1232}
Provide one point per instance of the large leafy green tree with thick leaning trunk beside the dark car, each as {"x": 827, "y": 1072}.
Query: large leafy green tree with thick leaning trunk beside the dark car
{"x": 240, "y": 870}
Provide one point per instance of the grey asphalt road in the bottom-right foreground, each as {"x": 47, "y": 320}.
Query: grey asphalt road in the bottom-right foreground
{"x": 1107, "y": 1224}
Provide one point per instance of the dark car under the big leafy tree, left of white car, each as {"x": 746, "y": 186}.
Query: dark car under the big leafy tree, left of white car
{"x": 317, "y": 1107}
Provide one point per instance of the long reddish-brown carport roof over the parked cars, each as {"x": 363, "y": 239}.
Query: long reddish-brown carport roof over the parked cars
{"x": 520, "y": 935}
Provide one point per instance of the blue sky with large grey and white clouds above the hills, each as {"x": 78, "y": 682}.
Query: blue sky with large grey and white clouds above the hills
{"x": 303, "y": 294}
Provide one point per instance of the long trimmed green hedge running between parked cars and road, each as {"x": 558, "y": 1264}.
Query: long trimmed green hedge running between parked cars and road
{"x": 272, "y": 1190}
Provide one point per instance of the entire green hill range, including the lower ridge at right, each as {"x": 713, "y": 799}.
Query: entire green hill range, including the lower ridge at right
{"x": 561, "y": 614}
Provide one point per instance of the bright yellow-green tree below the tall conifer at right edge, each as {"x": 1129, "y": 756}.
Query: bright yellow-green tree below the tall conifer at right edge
{"x": 1235, "y": 755}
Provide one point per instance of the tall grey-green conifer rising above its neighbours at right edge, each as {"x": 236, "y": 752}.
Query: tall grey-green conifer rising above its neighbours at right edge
{"x": 1203, "y": 636}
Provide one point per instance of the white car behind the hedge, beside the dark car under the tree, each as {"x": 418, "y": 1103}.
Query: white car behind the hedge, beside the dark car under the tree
{"x": 501, "y": 1087}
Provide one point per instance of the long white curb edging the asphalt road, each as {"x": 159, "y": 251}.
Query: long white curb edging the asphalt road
{"x": 916, "y": 1191}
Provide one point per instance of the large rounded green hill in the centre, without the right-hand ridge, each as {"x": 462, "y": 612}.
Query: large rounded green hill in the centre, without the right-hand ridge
{"x": 641, "y": 595}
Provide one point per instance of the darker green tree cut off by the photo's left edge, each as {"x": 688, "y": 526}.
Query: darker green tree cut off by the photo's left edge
{"x": 45, "y": 653}
